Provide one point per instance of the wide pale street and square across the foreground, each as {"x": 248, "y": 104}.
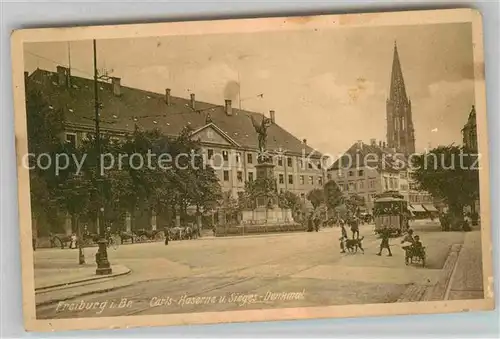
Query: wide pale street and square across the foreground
{"x": 218, "y": 274}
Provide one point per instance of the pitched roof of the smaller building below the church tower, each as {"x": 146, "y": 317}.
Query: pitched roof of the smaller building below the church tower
{"x": 361, "y": 155}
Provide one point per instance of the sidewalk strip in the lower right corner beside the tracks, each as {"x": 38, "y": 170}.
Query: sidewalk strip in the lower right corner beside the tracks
{"x": 467, "y": 278}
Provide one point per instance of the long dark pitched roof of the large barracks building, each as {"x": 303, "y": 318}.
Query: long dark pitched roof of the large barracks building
{"x": 149, "y": 110}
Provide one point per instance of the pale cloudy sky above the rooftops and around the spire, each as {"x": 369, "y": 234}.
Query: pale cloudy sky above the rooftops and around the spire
{"x": 328, "y": 86}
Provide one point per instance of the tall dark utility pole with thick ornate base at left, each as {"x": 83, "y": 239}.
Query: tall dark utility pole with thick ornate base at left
{"x": 103, "y": 265}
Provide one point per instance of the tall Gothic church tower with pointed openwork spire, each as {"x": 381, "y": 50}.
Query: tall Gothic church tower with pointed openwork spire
{"x": 400, "y": 132}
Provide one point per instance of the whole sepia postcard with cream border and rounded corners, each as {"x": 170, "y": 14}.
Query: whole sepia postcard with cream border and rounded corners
{"x": 252, "y": 170}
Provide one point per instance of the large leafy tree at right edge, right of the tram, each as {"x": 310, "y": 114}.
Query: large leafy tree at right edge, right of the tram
{"x": 450, "y": 173}
